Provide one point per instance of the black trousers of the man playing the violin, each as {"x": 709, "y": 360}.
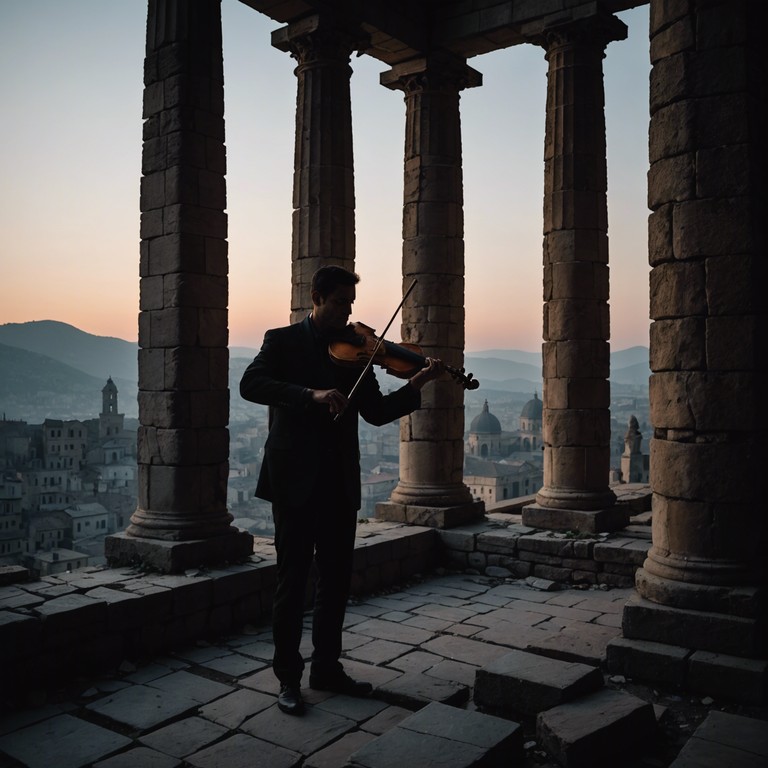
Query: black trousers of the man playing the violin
{"x": 324, "y": 532}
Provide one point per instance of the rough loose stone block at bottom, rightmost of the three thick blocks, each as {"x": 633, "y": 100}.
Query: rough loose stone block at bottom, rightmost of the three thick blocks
{"x": 600, "y": 729}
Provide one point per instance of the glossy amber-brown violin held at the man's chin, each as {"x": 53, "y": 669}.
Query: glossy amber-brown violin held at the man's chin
{"x": 358, "y": 346}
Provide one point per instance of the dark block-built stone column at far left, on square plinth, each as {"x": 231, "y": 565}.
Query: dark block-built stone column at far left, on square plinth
{"x": 183, "y": 443}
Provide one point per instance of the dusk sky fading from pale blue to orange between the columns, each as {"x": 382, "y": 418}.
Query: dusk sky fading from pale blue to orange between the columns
{"x": 70, "y": 145}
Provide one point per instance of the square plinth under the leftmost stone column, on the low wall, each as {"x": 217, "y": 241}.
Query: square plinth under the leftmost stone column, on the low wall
{"x": 122, "y": 549}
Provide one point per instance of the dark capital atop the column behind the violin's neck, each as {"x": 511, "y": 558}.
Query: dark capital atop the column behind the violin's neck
{"x": 436, "y": 72}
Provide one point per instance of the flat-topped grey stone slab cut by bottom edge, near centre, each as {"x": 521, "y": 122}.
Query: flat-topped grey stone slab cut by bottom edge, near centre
{"x": 444, "y": 736}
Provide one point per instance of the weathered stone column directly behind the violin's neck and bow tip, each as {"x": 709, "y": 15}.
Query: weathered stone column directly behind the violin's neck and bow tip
{"x": 431, "y": 488}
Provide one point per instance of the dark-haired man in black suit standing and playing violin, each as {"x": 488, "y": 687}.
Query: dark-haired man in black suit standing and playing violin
{"x": 311, "y": 474}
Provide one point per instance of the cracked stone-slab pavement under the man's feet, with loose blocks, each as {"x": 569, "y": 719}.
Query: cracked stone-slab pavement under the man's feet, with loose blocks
{"x": 467, "y": 671}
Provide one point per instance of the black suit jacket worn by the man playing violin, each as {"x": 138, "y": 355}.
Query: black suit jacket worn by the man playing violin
{"x": 304, "y": 442}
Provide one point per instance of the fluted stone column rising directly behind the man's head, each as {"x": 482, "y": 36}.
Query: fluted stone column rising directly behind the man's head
{"x": 323, "y": 181}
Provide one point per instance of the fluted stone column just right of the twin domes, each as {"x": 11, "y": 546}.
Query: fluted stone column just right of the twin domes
{"x": 576, "y": 353}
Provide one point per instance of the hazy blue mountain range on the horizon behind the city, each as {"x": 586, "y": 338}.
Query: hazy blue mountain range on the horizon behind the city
{"x": 51, "y": 369}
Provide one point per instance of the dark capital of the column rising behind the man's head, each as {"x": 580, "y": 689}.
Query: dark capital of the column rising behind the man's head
{"x": 317, "y": 38}
